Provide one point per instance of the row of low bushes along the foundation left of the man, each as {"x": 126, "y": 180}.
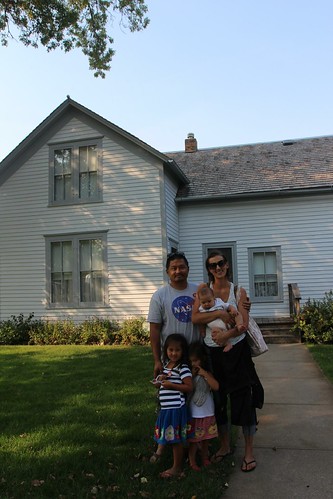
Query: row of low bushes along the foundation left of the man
{"x": 92, "y": 331}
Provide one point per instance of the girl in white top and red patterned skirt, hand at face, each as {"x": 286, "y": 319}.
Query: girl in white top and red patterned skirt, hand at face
{"x": 201, "y": 406}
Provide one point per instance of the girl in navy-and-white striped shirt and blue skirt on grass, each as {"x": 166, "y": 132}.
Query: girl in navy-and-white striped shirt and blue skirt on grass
{"x": 175, "y": 381}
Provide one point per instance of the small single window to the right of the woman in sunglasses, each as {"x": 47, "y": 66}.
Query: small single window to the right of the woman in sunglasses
{"x": 265, "y": 274}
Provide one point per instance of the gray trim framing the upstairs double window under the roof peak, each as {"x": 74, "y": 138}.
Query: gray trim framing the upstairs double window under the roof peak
{"x": 75, "y": 173}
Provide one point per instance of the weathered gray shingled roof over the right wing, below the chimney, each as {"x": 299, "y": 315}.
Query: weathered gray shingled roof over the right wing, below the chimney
{"x": 257, "y": 169}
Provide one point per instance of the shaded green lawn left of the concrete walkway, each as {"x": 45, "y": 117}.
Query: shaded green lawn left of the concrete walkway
{"x": 77, "y": 421}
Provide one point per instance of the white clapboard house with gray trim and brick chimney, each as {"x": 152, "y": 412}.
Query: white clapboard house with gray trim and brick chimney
{"x": 88, "y": 213}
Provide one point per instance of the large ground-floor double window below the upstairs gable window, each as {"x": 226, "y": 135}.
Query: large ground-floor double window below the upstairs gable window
{"x": 77, "y": 270}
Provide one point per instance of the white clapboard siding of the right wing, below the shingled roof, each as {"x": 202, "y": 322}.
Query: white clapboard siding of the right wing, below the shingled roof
{"x": 301, "y": 226}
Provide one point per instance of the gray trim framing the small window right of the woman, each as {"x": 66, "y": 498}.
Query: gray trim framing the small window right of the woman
{"x": 266, "y": 299}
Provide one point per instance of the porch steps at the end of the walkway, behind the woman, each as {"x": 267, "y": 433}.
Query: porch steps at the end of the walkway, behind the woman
{"x": 277, "y": 330}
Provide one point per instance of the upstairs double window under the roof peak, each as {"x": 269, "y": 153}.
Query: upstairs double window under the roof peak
{"x": 75, "y": 173}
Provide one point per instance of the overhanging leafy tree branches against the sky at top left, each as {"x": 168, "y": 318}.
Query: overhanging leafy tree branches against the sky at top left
{"x": 70, "y": 24}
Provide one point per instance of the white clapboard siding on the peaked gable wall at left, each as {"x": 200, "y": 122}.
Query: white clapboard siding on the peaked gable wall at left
{"x": 130, "y": 212}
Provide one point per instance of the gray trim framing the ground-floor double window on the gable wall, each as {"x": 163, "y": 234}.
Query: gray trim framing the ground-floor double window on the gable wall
{"x": 75, "y": 238}
